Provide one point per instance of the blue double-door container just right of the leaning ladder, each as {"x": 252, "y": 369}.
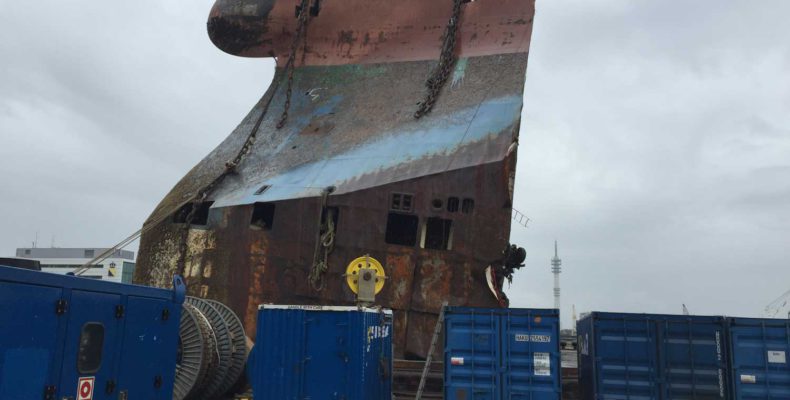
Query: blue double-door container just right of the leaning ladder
{"x": 499, "y": 353}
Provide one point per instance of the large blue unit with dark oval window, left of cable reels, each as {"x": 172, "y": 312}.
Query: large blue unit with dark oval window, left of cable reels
{"x": 60, "y": 335}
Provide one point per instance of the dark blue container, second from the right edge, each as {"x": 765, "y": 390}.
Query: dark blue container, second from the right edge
{"x": 644, "y": 356}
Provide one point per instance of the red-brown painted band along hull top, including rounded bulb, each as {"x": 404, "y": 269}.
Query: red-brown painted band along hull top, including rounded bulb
{"x": 412, "y": 29}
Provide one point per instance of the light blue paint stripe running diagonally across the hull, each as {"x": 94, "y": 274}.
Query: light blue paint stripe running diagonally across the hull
{"x": 437, "y": 137}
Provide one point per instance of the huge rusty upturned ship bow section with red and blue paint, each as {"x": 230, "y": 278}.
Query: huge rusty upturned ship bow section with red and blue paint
{"x": 430, "y": 198}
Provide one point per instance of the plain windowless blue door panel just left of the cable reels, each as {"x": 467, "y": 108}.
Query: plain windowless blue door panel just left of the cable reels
{"x": 150, "y": 344}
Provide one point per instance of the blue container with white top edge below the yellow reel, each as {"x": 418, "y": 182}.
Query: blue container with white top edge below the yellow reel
{"x": 322, "y": 353}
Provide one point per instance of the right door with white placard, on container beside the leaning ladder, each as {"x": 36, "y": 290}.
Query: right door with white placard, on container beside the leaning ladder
{"x": 530, "y": 356}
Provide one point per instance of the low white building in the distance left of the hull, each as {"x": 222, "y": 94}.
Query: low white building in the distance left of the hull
{"x": 118, "y": 267}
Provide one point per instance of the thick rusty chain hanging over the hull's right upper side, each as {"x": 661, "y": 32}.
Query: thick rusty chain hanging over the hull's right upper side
{"x": 447, "y": 59}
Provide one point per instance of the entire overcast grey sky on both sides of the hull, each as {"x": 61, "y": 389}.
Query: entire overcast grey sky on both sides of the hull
{"x": 655, "y": 144}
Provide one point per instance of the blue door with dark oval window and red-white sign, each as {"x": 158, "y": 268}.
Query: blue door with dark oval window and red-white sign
{"x": 91, "y": 346}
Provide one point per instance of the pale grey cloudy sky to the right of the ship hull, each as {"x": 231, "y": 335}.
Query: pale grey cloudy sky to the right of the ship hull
{"x": 654, "y": 147}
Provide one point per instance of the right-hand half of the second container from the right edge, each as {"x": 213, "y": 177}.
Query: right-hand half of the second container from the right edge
{"x": 693, "y": 359}
